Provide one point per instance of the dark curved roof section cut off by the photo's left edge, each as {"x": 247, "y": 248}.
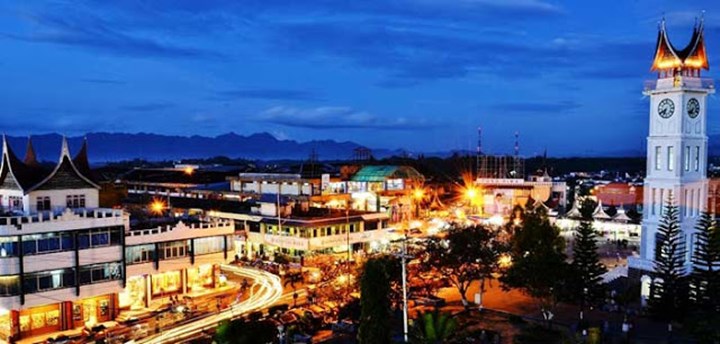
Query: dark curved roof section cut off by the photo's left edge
{"x": 16, "y": 175}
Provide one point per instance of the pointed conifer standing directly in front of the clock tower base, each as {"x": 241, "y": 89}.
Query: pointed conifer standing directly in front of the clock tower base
{"x": 668, "y": 292}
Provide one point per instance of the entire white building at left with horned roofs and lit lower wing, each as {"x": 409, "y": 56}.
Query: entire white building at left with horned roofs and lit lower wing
{"x": 66, "y": 263}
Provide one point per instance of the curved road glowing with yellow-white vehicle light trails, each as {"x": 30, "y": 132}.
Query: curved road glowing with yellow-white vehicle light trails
{"x": 267, "y": 289}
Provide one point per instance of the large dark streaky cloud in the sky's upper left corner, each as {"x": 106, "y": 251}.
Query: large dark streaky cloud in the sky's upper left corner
{"x": 89, "y": 31}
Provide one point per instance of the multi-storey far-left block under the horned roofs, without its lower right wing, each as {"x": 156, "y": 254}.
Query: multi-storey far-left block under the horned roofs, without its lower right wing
{"x": 62, "y": 255}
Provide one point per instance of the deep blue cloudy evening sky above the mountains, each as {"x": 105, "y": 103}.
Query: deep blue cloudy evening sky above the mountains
{"x": 414, "y": 74}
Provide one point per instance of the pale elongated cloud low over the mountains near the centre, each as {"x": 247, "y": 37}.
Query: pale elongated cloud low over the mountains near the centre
{"x": 337, "y": 118}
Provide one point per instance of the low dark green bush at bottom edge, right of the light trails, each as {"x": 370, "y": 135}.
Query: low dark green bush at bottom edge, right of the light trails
{"x": 245, "y": 332}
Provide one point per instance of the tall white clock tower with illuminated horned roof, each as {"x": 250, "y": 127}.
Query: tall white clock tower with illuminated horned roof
{"x": 676, "y": 144}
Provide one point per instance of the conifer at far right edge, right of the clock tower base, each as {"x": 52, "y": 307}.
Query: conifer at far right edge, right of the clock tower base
{"x": 705, "y": 277}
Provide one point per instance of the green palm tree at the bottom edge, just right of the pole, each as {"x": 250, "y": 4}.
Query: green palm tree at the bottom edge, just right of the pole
{"x": 433, "y": 328}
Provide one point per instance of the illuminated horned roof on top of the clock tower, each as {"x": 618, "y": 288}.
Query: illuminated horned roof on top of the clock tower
{"x": 693, "y": 56}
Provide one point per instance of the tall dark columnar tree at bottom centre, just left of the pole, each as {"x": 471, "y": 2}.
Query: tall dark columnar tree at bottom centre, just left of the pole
{"x": 375, "y": 302}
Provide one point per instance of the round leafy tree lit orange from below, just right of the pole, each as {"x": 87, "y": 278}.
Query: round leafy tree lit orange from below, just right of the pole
{"x": 465, "y": 255}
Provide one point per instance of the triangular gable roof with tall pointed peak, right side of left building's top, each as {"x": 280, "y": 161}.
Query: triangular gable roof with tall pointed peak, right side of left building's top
{"x": 65, "y": 175}
